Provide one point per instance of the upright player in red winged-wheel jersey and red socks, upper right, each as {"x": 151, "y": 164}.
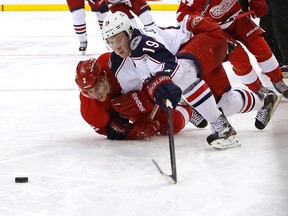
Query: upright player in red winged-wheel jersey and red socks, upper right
{"x": 245, "y": 31}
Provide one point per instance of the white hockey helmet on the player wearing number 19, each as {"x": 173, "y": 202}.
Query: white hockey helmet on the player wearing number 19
{"x": 115, "y": 23}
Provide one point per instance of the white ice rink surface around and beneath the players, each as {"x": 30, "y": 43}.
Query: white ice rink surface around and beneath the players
{"x": 74, "y": 172}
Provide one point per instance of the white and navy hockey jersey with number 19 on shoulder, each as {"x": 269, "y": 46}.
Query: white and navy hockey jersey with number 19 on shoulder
{"x": 152, "y": 51}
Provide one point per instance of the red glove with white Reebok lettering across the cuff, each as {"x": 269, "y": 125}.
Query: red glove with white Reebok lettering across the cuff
{"x": 132, "y": 104}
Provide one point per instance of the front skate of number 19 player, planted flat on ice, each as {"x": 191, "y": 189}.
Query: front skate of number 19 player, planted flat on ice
{"x": 223, "y": 135}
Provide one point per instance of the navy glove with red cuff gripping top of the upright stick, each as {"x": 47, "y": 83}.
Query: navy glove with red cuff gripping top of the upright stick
{"x": 160, "y": 87}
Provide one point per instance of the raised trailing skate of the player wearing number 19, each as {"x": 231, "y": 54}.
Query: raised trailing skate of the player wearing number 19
{"x": 264, "y": 115}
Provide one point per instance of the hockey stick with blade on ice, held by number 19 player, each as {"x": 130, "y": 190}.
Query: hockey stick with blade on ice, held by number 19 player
{"x": 173, "y": 175}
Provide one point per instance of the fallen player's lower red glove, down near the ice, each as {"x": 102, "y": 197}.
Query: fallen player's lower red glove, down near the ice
{"x": 144, "y": 129}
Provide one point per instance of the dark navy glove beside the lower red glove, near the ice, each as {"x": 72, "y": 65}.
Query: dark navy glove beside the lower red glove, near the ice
{"x": 117, "y": 128}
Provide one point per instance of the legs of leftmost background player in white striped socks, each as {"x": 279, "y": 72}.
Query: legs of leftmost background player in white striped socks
{"x": 77, "y": 9}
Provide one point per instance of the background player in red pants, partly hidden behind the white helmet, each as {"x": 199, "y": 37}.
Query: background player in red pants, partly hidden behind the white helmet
{"x": 140, "y": 8}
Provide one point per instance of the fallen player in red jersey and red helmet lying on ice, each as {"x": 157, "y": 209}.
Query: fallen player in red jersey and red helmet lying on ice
{"x": 110, "y": 113}
